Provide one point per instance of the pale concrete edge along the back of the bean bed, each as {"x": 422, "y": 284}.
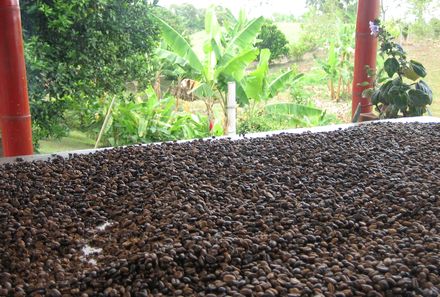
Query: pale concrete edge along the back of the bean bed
{"x": 46, "y": 157}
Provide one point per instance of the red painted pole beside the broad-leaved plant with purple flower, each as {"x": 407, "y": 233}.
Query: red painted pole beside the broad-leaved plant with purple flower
{"x": 365, "y": 52}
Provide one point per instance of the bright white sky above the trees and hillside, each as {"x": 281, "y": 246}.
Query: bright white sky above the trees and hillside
{"x": 396, "y": 9}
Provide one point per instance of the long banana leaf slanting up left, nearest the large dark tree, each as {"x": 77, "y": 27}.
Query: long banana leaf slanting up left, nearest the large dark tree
{"x": 179, "y": 44}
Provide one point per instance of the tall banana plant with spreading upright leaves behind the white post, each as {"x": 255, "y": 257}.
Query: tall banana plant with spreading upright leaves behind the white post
{"x": 222, "y": 61}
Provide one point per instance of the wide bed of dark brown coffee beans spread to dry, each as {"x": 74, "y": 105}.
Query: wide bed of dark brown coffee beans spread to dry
{"x": 352, "y": 212}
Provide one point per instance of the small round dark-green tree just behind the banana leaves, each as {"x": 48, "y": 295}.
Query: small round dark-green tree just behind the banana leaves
{"x": 273, "y": 39}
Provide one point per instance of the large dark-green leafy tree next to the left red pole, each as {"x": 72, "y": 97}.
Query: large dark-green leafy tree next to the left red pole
{"x": 80, "y": 51}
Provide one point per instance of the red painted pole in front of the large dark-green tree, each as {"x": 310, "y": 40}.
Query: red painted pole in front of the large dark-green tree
{"x": 15, "y": 118}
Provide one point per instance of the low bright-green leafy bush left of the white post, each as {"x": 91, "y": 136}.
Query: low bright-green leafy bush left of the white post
{"x": 145, "y": 118}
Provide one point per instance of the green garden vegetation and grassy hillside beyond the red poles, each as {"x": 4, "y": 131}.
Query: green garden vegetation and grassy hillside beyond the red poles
{"x": 106, "y": 68}
